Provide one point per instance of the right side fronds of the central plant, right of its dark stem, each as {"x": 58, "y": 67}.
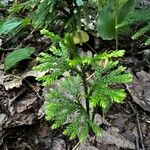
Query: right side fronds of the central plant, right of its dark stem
{"x": 108, "y": 73}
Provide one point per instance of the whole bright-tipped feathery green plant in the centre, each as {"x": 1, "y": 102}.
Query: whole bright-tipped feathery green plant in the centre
{"x": 73, "y": 99}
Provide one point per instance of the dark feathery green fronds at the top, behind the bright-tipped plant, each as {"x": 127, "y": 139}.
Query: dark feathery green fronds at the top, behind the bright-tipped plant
{"x": 49, "y": 13}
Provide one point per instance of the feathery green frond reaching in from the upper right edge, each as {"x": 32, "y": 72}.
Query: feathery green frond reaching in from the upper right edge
{"x": 138, "y": 17}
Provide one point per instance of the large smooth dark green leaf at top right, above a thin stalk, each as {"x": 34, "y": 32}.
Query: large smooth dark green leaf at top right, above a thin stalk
{"x": 106, "y": 20}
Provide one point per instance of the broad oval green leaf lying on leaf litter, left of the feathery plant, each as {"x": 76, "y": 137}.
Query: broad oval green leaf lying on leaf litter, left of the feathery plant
{"x": 17, "y": 55}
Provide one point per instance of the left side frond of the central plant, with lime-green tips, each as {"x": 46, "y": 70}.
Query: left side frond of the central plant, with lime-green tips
{"x": 54, "y": 66}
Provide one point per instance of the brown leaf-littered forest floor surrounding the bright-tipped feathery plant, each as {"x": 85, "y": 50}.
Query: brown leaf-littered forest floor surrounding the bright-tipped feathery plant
{"x": 22, "y": 124}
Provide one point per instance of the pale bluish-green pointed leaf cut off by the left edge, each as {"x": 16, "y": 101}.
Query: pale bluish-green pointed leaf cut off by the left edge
{"x": 8, "y": 25}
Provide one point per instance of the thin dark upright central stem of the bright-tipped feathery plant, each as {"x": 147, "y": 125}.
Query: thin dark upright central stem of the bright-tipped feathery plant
{"x": 83, "y": 76}
